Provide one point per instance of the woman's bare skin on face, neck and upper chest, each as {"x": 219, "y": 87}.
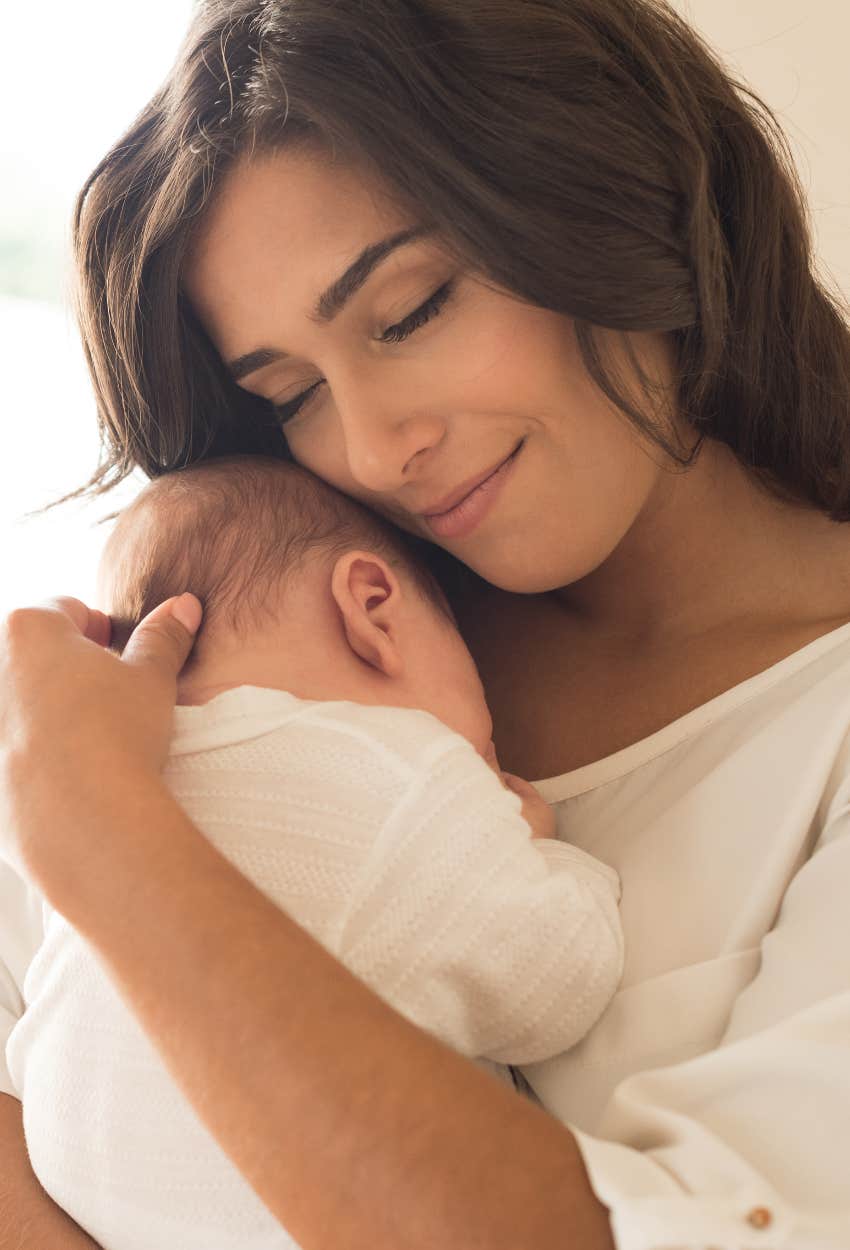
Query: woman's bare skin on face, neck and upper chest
{"x": 617, "y": 581}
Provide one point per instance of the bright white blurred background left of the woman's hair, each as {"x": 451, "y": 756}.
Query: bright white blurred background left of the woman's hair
{"x": 74, "y": 76}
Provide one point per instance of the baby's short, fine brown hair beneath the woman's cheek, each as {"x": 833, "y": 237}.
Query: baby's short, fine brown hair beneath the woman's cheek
{"x": 232, "y": 532}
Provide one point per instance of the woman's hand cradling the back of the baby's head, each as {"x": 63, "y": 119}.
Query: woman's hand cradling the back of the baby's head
{"x": 77, "y": 722}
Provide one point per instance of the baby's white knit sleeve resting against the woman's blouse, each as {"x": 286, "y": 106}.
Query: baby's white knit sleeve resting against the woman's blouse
{"x": 503, "y": 947}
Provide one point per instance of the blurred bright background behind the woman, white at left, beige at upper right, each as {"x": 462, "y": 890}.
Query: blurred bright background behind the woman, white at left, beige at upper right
{"x": 74, "y": 77}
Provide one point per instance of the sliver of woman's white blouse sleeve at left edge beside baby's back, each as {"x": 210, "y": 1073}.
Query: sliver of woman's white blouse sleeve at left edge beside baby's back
{"x": 22, "y": 929}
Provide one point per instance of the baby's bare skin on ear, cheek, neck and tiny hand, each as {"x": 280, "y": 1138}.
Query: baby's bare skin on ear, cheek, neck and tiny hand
{"x": 353, "y": 629}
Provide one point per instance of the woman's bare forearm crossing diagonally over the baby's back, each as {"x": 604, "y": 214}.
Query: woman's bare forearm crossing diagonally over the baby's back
{"x": 357, "y": 1129}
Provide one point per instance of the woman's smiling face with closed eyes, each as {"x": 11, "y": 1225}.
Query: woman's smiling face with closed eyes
{"x": 409, "y": 384}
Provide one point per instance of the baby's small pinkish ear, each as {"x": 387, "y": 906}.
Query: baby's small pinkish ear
{"x": 368, "y": 597}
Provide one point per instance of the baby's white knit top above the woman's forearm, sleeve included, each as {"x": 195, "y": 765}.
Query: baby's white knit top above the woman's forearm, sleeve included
{"x": 419, "y": 872}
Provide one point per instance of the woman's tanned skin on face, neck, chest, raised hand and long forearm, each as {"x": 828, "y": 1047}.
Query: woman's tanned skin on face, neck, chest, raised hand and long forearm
{"x": 641, "y": 593}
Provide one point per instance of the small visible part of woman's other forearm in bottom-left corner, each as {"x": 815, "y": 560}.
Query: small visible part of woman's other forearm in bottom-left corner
{"x": 29, "y": 1218}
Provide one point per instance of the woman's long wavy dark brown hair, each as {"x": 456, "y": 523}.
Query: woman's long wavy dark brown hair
{"x": 592, "y": 157}
